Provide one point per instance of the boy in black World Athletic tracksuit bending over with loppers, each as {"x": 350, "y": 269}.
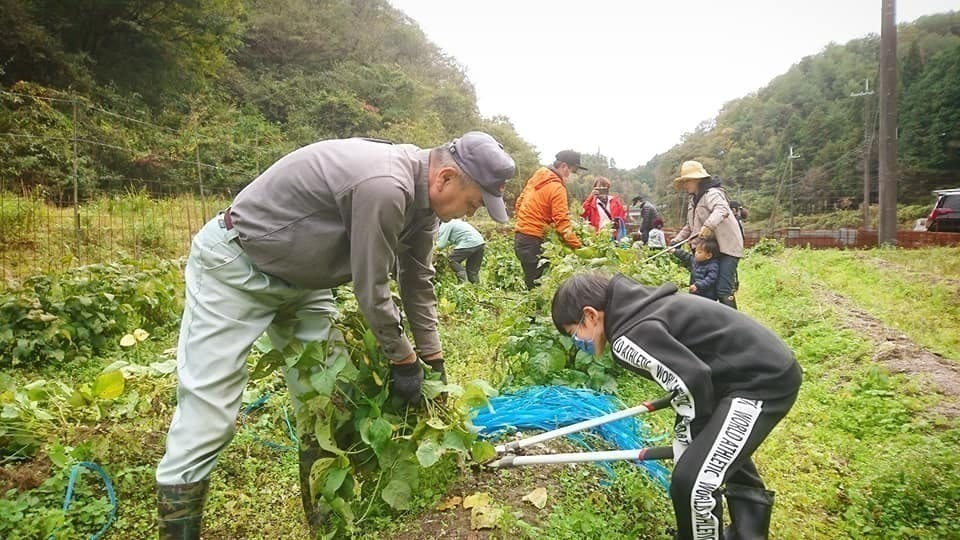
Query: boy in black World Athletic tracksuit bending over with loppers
{"x": 733, "y": 380}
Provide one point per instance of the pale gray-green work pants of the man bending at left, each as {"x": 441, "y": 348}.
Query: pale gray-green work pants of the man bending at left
{"x": 229, "y": 304}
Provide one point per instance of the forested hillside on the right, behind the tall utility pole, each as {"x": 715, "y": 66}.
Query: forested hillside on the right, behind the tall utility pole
{"x": 810, "y": 108}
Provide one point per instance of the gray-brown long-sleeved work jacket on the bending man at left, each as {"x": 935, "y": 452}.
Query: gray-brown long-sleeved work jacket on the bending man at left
{"x": 350, "y": 209}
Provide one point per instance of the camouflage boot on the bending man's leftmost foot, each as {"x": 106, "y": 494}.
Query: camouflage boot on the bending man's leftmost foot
{"x": 180, "y": 510}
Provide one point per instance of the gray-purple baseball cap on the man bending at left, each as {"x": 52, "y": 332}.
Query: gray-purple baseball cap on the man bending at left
{"x": 485, "y": 161}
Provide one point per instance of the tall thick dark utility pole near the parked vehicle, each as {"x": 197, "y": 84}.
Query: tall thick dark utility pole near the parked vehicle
{"x": 888, "y": 124}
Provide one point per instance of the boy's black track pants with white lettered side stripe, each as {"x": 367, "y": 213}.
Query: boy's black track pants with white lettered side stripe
{"x": 720, "y": 453}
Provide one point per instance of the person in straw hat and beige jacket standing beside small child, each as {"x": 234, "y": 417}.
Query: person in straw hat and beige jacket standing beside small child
{"x": 709, "y": 214}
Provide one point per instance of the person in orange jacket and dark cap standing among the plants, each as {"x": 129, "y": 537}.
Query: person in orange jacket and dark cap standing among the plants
{"x": 542, "y": 204}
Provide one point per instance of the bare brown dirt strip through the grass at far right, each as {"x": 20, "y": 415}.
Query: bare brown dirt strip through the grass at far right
{"x": 896, "y": 352}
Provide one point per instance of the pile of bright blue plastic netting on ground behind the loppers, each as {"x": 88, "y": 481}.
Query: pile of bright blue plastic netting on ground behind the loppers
{"x": 551, "y": 407}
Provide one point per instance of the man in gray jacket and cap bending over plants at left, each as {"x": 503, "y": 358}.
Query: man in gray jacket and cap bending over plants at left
{"x": 333, "y": 212}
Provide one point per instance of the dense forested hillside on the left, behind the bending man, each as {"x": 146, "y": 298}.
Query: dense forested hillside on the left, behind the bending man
{"x": 149, "y": 89}
